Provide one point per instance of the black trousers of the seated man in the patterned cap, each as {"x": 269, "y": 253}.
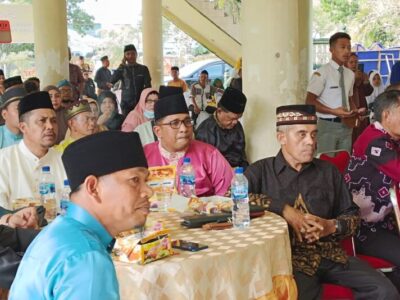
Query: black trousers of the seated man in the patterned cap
{"x": 366, "y": 282}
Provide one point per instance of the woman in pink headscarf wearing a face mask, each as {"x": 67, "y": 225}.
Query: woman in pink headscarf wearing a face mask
{"x": 143, "y": 112}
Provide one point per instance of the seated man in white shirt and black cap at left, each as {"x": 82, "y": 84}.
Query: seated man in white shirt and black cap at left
{"x": 21, "y": 164}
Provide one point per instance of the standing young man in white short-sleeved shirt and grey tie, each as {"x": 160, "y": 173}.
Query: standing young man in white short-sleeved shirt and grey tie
{"x": 330, "y": 90}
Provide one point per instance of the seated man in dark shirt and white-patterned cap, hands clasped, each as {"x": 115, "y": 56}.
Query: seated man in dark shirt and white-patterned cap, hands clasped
{"x": 313, "y": 198}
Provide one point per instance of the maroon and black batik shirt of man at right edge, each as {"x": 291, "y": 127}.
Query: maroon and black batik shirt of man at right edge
{"x": 373, "y": 169}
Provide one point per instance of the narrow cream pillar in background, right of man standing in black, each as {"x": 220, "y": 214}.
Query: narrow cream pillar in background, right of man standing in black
{"x": 152, "y": 40}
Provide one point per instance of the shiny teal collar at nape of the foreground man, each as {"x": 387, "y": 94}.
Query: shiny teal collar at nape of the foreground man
{"x": 81, "y": 215}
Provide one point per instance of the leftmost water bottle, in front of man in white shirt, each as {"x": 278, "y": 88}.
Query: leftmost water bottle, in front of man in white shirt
{"x": 47, "y": 191}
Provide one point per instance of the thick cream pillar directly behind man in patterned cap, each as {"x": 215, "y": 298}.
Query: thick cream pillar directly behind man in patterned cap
{"x": 273, "y": 59}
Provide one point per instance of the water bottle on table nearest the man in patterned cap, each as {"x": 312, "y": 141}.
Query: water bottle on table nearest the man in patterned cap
{"x": 240, "y": 198}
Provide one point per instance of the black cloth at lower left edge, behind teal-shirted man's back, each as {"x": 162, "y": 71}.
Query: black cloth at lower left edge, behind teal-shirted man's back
{"x": 13, "y": 242}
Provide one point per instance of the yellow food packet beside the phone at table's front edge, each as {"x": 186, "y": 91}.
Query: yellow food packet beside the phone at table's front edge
{"x": 143, "y": 247}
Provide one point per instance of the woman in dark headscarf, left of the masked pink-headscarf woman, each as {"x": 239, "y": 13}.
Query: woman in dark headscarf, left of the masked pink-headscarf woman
{"x": 109, "y": 111}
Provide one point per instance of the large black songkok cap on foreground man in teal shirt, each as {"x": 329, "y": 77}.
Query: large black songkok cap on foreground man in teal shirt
{"x": 119, "y": 151}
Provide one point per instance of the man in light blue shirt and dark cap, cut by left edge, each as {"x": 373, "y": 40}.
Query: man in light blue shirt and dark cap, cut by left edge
{"x": 9, "y": 132}
